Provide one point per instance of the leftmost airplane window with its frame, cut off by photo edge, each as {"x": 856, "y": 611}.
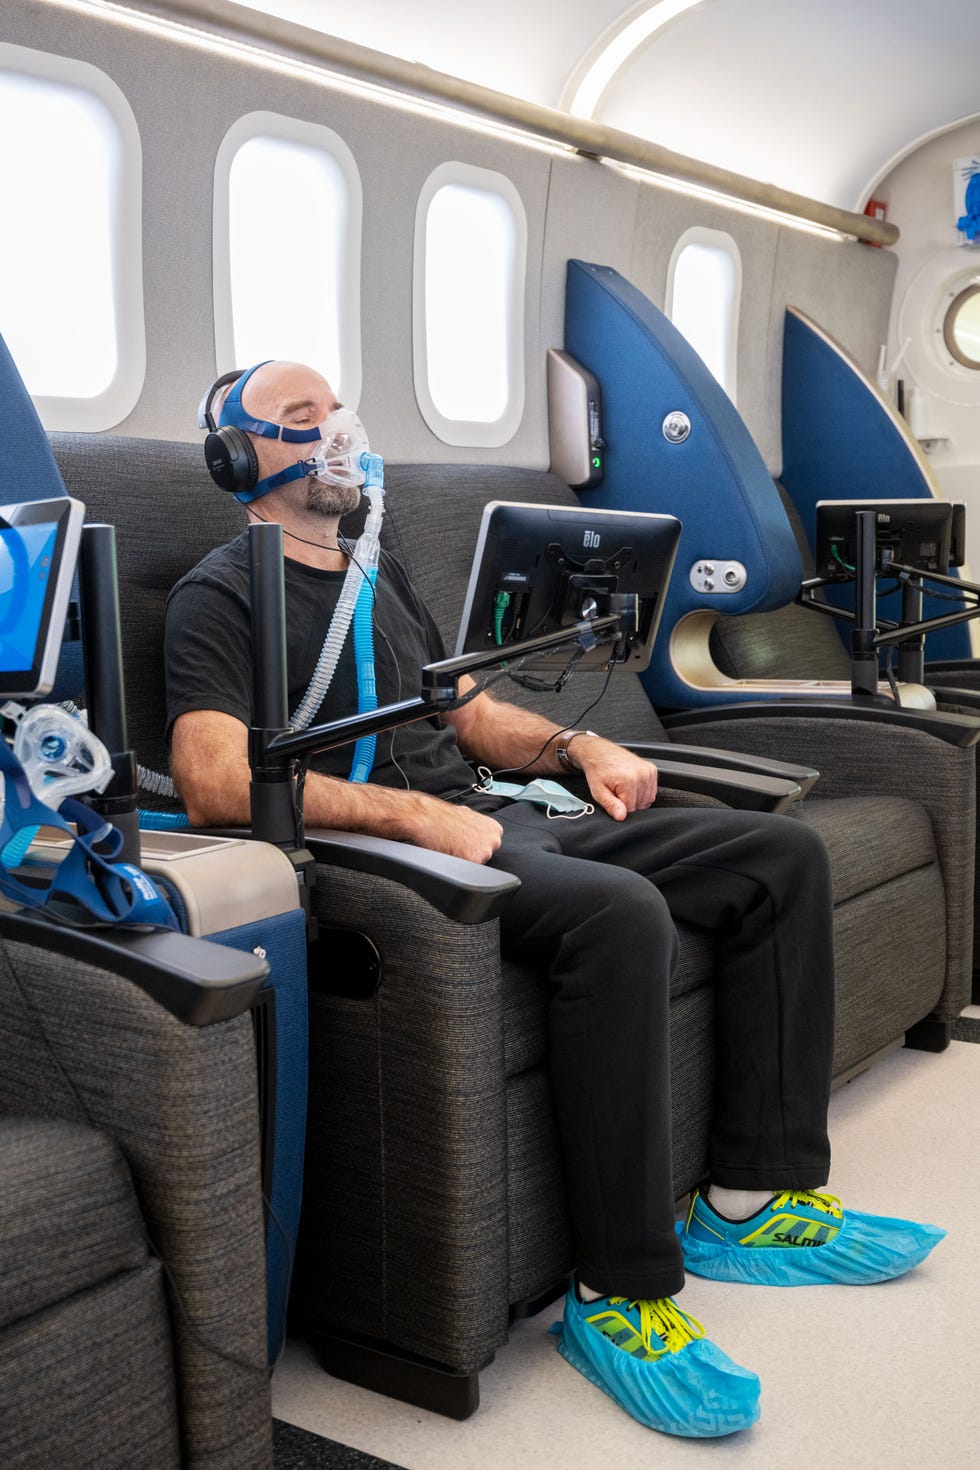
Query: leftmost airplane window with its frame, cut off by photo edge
{"x": 71, "y": 293}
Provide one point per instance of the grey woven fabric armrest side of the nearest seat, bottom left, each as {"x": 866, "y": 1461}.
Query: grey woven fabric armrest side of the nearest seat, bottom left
{"x": 86, "y": 1046}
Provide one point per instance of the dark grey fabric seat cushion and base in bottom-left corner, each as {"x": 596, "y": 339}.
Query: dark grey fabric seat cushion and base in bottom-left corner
{"x": 86, "y": 1359}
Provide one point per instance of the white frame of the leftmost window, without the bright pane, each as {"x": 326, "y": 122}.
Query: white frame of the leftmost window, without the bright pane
{"x": 118, "y": 399}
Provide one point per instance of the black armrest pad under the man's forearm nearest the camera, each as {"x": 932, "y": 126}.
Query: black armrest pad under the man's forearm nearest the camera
{"x": 465, "y": 892}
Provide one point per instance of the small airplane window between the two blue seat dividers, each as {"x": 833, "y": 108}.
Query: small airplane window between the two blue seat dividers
{"x": 705, "y": 284}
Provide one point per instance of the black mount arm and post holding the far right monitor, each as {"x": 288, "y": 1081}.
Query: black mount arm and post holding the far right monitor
{"x": 869, "y": 633}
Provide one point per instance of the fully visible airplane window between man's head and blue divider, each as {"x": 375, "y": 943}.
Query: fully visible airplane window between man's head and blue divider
{"x": 469, "y": 306}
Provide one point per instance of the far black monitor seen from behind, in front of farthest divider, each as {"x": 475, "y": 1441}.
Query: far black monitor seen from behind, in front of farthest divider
{"x": 923, "y": 534}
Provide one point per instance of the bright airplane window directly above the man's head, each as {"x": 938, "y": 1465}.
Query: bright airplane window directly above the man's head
{"x": 287, "y": 290}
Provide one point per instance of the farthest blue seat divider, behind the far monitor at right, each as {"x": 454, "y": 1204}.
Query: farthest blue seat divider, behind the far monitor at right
{"x": 844, "y": 442}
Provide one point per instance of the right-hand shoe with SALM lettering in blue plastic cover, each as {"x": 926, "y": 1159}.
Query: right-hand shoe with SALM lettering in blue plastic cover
{"x": 803, "y": 1240}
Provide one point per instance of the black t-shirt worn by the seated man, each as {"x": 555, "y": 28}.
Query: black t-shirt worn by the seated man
{"x": 209, "y": 662}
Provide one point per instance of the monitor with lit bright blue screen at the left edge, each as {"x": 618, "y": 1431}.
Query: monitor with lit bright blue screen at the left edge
{"x": 39, "y": 549}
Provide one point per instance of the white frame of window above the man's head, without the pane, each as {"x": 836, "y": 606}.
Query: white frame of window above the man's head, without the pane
{"x": 312, "y": 136}
